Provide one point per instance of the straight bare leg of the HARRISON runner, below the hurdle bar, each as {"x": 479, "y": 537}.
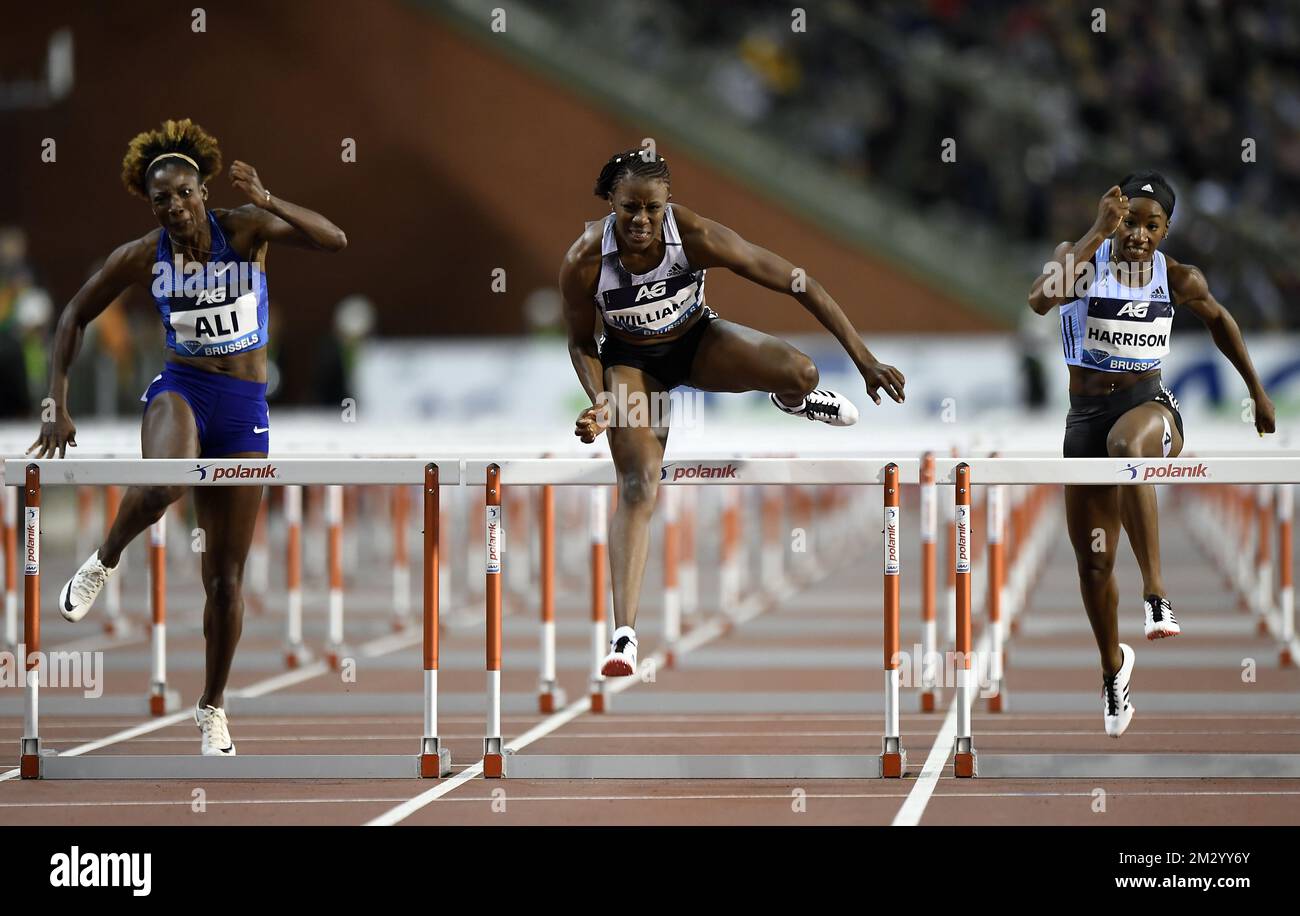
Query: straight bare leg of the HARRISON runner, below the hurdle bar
{"x": 1093, "y": 516}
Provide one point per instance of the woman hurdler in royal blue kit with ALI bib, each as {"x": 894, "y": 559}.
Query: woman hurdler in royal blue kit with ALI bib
{"x": 205, "y": 271}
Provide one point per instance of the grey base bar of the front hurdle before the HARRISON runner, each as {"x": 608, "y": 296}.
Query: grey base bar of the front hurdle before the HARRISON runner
{"x": 1141, "y": 766}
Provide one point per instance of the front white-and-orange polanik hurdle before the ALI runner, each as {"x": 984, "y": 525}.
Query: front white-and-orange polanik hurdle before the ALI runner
{"x": 432, "y": 759}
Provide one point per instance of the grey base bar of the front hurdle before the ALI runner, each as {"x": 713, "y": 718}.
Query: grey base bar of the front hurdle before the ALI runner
{"x": 252, "y": 767}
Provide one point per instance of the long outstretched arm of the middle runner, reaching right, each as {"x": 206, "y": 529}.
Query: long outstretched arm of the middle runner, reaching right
{"x": 712, "y": 245}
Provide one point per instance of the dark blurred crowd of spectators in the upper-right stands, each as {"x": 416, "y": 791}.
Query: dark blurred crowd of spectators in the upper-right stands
{"x": 1047, "y": 112}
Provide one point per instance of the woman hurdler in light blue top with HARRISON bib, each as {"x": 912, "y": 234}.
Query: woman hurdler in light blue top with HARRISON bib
{"x": 1117, "y": 296}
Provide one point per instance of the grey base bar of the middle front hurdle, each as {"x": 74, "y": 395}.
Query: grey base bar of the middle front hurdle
{"x": 691, "y": 767}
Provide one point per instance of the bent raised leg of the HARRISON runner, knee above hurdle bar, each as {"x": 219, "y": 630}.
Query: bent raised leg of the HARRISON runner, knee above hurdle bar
{"x": 1141, "y": 433}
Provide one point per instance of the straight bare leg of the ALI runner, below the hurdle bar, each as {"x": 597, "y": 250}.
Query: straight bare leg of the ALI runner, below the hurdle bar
{"x": 227, "y": 516}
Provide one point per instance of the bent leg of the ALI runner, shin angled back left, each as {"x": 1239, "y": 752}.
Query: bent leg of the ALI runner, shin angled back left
{"x": 168, "y": 432}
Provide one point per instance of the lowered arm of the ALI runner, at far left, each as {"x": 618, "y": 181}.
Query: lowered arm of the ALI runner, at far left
{"x": 127, "y": 266}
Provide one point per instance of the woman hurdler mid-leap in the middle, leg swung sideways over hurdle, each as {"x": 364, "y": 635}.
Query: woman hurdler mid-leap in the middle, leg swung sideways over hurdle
{"x": 640, "y": 276}
